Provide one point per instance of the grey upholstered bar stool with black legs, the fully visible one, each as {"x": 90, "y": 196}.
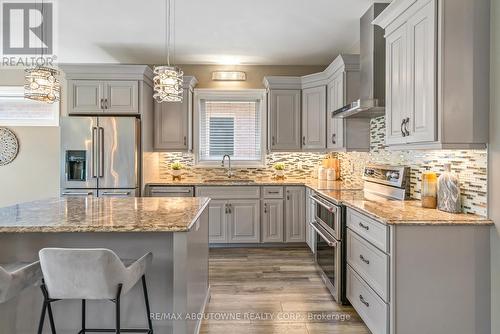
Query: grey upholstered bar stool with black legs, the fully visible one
{"x": 91, "y": 274}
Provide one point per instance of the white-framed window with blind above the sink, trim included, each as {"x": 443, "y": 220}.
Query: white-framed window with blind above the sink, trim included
{"x": 229, "y": 122}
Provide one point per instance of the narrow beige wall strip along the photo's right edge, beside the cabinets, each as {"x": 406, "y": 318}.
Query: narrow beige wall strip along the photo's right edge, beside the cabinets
{"x": 493, "y": 168}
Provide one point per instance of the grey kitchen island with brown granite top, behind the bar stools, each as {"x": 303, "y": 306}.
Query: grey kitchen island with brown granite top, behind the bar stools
{"x": 175, "y": 230}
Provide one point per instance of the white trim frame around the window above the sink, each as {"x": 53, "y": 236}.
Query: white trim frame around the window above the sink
{"x": 228, "y": 95}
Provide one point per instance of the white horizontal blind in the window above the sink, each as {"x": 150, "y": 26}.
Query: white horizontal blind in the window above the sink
{"x": 230, "y": 127}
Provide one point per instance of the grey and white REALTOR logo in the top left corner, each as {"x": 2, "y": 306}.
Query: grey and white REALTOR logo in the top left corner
{"x": 27, "y": 30}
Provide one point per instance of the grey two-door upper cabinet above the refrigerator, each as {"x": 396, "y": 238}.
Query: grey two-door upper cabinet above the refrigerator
{"x": 107, "y": 89}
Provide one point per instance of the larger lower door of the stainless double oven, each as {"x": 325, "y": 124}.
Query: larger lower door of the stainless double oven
{"x": 328, "y": 260}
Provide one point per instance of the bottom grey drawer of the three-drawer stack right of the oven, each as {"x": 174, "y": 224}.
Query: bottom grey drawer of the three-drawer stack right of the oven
{"x": 365, "y": 301}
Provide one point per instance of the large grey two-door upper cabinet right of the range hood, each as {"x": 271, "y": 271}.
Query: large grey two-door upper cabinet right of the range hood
{"x": 437, "y": 73}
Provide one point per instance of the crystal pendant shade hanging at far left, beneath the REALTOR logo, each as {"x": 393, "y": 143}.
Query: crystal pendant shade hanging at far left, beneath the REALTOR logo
{"x": 41, "y": 84}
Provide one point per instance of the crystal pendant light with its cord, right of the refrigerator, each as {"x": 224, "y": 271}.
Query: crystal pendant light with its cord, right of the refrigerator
{"x": 168, "y": 79}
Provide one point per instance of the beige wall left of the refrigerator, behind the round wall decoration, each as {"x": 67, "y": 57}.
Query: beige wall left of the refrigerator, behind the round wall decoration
{"x": 34, "y": 174}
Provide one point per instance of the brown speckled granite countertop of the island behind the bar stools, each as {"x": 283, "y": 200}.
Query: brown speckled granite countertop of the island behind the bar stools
{"x": 89, "y": 214}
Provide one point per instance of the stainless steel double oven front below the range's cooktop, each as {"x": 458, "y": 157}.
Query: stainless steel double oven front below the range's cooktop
{"x": 330, "y": 249}
